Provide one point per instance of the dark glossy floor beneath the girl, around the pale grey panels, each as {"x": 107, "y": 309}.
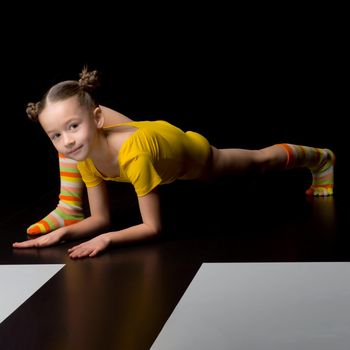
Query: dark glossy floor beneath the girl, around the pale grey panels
{"x": 121, "y": 299}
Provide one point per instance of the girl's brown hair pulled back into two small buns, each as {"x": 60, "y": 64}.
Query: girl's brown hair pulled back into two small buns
{"x": 84, "y": 89}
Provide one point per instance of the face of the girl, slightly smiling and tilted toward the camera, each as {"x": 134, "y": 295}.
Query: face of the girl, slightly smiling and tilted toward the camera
{"x": 70, "y": 127}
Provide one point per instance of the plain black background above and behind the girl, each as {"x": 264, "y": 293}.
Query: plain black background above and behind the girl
{"x": 242, "y": 77}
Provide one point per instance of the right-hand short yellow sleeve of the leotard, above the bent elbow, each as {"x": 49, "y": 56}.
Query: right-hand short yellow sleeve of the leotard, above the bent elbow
{"x": 141, "y": 173}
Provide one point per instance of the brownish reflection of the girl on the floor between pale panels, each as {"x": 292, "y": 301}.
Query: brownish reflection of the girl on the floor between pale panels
{"x": 121, "y": 291}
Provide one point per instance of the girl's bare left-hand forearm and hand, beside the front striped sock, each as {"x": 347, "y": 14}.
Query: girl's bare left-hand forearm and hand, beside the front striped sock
{"x": 97, "y": 222}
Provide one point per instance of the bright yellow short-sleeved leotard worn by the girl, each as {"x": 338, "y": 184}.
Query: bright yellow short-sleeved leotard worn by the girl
{"x": 156, "y": 153}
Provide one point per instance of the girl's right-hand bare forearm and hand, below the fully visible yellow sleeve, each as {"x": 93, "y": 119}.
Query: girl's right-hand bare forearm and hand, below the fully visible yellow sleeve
{"x": 149, "y": 228}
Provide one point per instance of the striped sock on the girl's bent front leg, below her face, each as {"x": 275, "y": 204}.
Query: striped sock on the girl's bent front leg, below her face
{"x": 69, "y": 209}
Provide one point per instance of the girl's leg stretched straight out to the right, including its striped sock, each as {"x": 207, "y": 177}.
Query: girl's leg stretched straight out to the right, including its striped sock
{"x": 279, "y": 157}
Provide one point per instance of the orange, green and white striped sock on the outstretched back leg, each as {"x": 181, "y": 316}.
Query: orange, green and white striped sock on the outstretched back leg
{"x": 321, "y": 163}
